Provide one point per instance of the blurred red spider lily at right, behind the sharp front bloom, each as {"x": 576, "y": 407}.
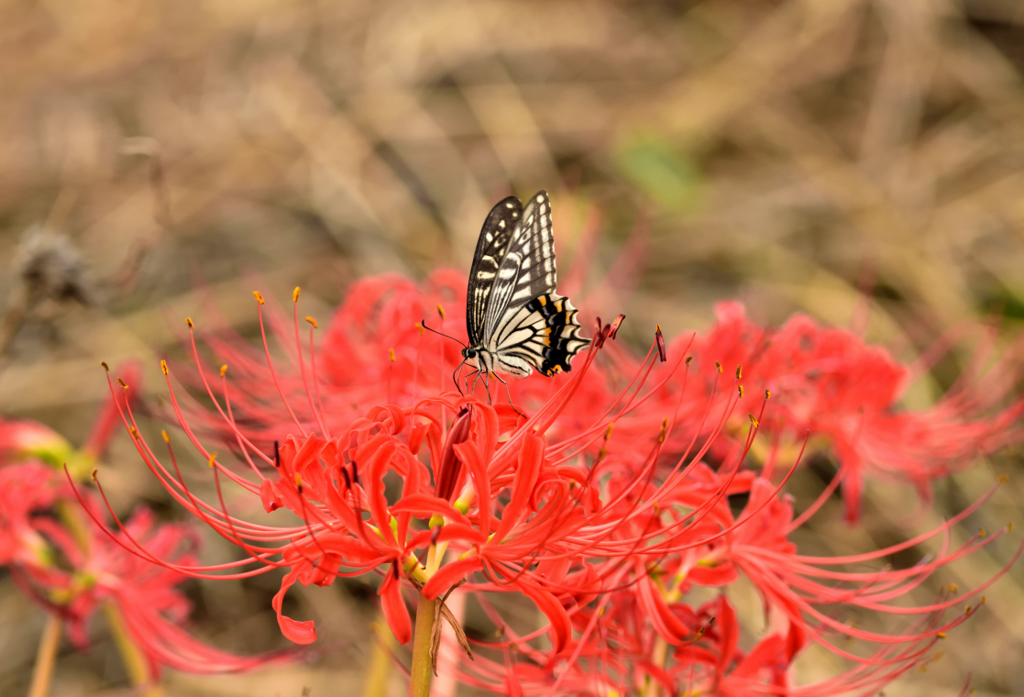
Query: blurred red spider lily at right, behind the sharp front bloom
{"x": 829, "y": 384}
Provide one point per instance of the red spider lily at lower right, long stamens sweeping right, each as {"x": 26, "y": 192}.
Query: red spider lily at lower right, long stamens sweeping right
{"x": 646, "y": 634}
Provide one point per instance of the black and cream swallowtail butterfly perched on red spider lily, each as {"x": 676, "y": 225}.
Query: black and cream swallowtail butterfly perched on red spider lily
{"x": 516, "y": 320}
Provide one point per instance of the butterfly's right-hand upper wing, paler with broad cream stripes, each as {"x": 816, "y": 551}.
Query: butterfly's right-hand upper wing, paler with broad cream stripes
{"x": 528, "y": 269}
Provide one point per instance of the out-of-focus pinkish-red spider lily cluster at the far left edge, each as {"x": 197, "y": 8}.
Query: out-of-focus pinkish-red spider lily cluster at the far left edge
{"x": 72, "y": 569}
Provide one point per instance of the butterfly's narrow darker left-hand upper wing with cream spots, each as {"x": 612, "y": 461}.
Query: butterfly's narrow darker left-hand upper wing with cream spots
{"x": 491, "y": 250}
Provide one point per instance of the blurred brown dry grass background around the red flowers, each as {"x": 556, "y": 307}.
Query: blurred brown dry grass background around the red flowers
{"x": 790, "y": 153}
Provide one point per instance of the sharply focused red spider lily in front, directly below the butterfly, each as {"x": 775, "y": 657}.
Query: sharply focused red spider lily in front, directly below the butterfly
{"x": 504, "y": 499}
